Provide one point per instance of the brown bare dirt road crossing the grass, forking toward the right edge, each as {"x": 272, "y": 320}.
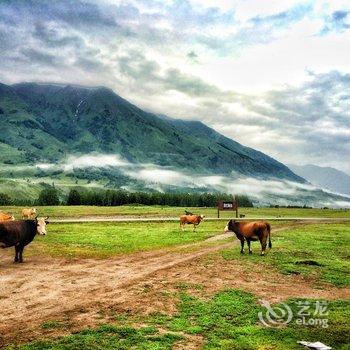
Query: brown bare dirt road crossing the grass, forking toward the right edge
{"x": 45, "y": 289}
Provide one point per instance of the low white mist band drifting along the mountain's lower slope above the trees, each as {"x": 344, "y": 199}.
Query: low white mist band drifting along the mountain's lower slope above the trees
{"x": 261, "y": 191}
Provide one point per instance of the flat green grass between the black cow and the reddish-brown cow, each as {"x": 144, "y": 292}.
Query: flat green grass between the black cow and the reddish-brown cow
{"x": 101, "y": 240}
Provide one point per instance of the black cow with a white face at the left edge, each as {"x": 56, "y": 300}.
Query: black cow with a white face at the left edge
{"x": 20, "y": 233}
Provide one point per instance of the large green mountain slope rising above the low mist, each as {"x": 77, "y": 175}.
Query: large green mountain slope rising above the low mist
{"x": 47, "y": 122}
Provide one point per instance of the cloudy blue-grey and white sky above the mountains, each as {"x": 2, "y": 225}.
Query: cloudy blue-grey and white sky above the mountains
{"x": 273, "y": 75}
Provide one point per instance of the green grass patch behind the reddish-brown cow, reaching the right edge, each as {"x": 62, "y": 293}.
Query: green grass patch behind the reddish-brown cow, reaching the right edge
{"x": 320, "y": 251}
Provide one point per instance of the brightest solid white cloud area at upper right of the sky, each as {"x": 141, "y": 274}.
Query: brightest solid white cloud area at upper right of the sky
{"x": 284, "y": 61}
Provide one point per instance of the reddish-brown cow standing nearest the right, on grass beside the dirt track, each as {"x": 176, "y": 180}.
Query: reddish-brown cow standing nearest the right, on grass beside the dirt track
{"x": 251, "y": 231}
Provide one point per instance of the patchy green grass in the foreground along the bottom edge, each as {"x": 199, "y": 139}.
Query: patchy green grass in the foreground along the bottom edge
{"x": 228, "y": 320}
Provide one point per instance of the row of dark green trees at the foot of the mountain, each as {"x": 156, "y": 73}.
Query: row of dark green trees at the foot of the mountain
{"x": 51, "y": 196}
